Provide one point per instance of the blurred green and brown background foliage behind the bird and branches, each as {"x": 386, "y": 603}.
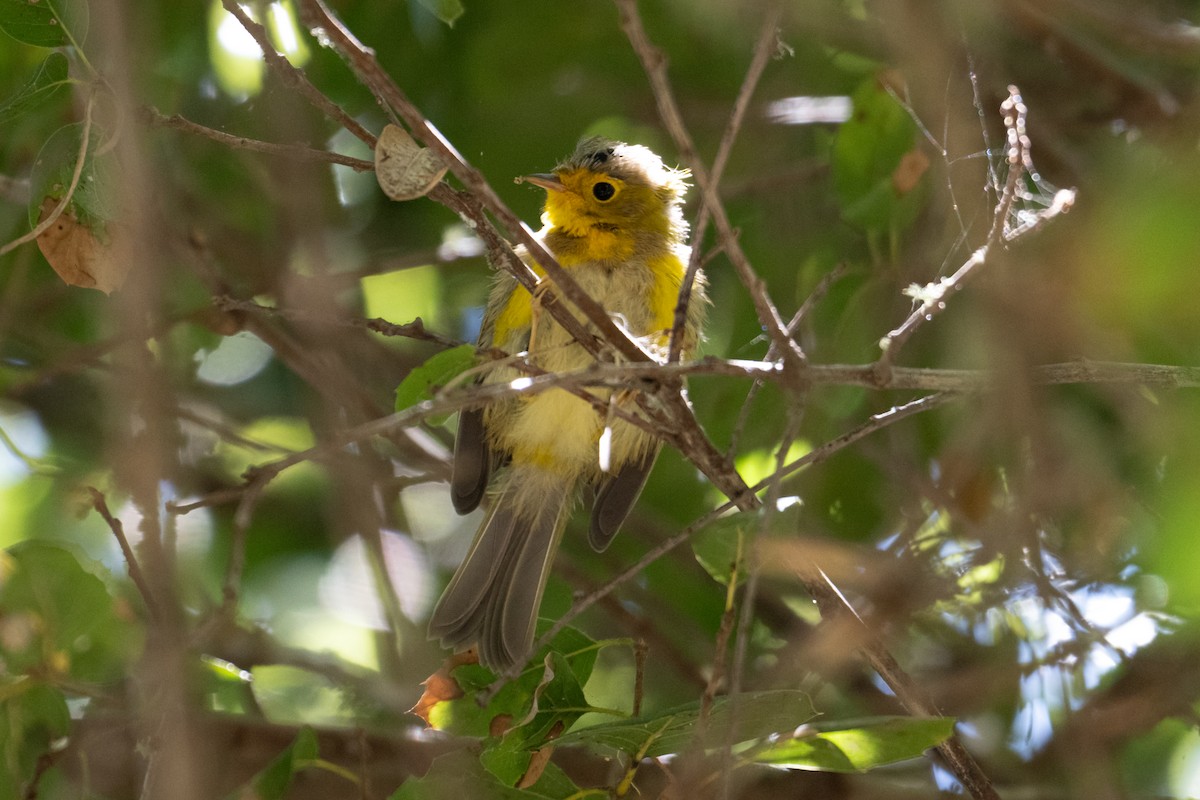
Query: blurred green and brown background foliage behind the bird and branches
{"x": 1029, "y": 554}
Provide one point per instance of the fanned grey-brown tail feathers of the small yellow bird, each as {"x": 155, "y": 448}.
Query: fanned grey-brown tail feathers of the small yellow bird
{"x": 494, "y": 598}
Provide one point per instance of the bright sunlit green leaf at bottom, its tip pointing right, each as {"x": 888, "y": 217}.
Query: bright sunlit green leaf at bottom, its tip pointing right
{"x": 860, "y": 747}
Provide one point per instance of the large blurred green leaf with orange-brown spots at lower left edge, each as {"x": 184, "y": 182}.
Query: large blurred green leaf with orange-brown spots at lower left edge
{"x": 59, "y": 618}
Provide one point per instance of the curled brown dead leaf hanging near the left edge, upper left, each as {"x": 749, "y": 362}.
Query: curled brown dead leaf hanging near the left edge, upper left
{"x": 79, "y": 256}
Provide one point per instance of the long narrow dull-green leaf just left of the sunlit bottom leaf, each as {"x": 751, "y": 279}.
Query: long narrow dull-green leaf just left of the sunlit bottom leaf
{"x": 754, "y": 717}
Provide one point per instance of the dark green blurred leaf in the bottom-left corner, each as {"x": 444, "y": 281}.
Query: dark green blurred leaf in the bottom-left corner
{"x": 33, "y": 718}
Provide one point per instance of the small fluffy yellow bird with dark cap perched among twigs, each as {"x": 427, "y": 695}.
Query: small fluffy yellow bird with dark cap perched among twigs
{"x": 614, "y": 221}
